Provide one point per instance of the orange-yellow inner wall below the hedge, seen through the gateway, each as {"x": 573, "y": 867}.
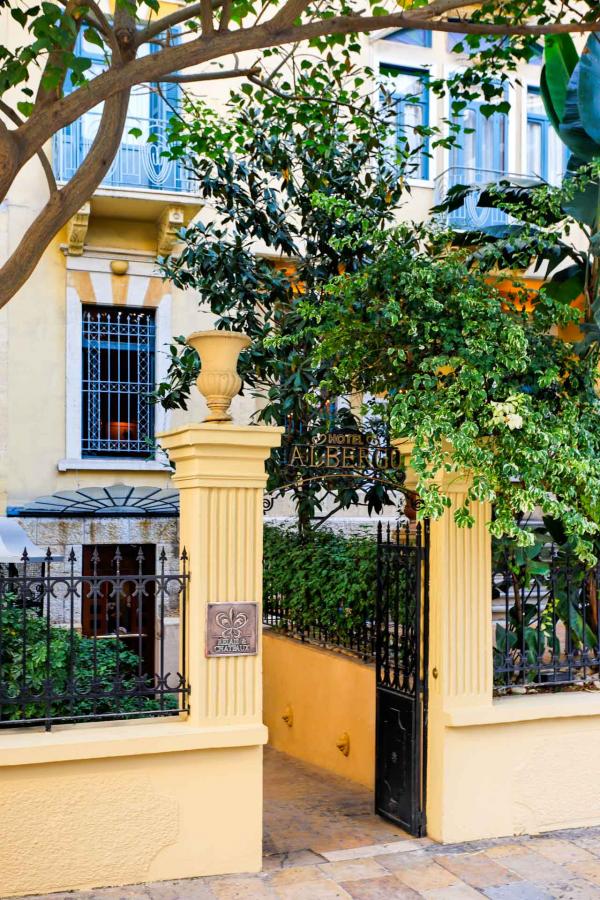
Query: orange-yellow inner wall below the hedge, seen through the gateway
{"x": 329, "y": 694}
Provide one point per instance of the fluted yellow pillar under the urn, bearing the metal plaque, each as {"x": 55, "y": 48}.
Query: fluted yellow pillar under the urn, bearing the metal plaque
{"x": 220, "y": 474}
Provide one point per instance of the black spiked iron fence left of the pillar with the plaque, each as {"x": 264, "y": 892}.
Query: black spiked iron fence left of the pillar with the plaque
{"x": 92, "y": 645}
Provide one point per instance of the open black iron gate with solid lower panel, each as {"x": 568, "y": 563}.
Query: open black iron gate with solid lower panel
{"x": 401, "y": 667}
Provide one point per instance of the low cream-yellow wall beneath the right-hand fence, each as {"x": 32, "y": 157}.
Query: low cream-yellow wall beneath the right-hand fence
{"x": 525, "y": 765}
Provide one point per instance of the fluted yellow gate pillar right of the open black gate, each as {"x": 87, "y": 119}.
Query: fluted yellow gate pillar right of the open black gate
{"x": 460, "y": 676}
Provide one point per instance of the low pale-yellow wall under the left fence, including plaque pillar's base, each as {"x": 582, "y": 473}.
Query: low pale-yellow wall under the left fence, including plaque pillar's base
{"x": 142, "y": 813}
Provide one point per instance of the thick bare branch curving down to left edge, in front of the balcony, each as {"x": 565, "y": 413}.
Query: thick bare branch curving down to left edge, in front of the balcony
{"x": 64, "y": 203}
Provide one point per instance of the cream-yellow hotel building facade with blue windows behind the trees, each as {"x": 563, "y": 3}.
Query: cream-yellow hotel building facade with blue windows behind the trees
{"x": 105, "y": 258}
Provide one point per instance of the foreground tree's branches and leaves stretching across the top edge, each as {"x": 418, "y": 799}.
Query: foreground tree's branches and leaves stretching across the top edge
{"x": 47, "y": 82}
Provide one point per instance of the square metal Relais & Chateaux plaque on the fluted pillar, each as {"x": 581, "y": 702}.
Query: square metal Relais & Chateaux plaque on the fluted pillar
{"x": 231, "y": 629}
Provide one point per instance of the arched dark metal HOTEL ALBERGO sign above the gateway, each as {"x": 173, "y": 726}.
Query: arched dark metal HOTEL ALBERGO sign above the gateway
{"x": 346, "y": 452}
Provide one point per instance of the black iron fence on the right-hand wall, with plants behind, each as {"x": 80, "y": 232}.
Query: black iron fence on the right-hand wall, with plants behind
{"x": 547, "y": 628}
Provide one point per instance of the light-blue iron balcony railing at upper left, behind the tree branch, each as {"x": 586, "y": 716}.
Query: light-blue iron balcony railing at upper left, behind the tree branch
{"x": 139, "y": 163}
